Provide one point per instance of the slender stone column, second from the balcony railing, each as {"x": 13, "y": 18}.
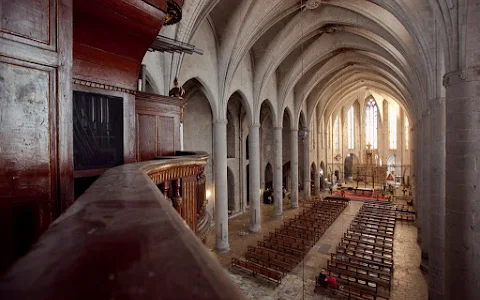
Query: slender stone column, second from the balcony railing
{"x": 254, "y": 173}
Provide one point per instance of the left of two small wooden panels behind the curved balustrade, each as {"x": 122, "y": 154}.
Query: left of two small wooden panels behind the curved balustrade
{"x": 147, "y": 136}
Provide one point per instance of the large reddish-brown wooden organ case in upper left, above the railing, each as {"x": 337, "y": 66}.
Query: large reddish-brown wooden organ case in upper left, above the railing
{"x": 52, "y": 51}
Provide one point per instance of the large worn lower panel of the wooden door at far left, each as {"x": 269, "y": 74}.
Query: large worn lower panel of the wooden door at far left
{"x": 28, "y": 165}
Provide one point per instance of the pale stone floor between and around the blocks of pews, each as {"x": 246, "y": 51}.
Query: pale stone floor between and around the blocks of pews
{"x": 408, "y": 282}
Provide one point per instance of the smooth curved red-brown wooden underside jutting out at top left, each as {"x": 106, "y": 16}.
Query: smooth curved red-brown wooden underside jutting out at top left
{"x": 111, "y": 38}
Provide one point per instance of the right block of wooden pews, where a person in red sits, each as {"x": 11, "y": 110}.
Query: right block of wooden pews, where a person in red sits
{"x": 363, "y": 262}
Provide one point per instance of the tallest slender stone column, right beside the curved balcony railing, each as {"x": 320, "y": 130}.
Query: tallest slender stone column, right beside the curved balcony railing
{"x": 221, "y": 185}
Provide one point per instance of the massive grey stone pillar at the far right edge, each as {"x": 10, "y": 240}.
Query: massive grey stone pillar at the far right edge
{"x": 462, "y": 205}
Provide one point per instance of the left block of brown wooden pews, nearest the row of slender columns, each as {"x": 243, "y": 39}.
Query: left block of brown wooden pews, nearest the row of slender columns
{"x": 282, "y": 250}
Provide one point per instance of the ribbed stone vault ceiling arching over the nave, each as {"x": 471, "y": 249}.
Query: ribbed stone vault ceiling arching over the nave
{"x": 326, "y": 55}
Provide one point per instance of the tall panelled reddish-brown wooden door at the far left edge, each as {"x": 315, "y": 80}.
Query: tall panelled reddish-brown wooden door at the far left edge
{"x": 35, "y": 120}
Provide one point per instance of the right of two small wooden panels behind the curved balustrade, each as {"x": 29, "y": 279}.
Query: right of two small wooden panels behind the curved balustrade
{"x": 166, "y": 135}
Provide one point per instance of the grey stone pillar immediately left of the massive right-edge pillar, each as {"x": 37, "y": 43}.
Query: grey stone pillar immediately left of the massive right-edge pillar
{"x": 436, "y": 256}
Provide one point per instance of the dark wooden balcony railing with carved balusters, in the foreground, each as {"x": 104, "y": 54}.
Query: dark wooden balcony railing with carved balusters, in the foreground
{"x": 122, "y": 239}
